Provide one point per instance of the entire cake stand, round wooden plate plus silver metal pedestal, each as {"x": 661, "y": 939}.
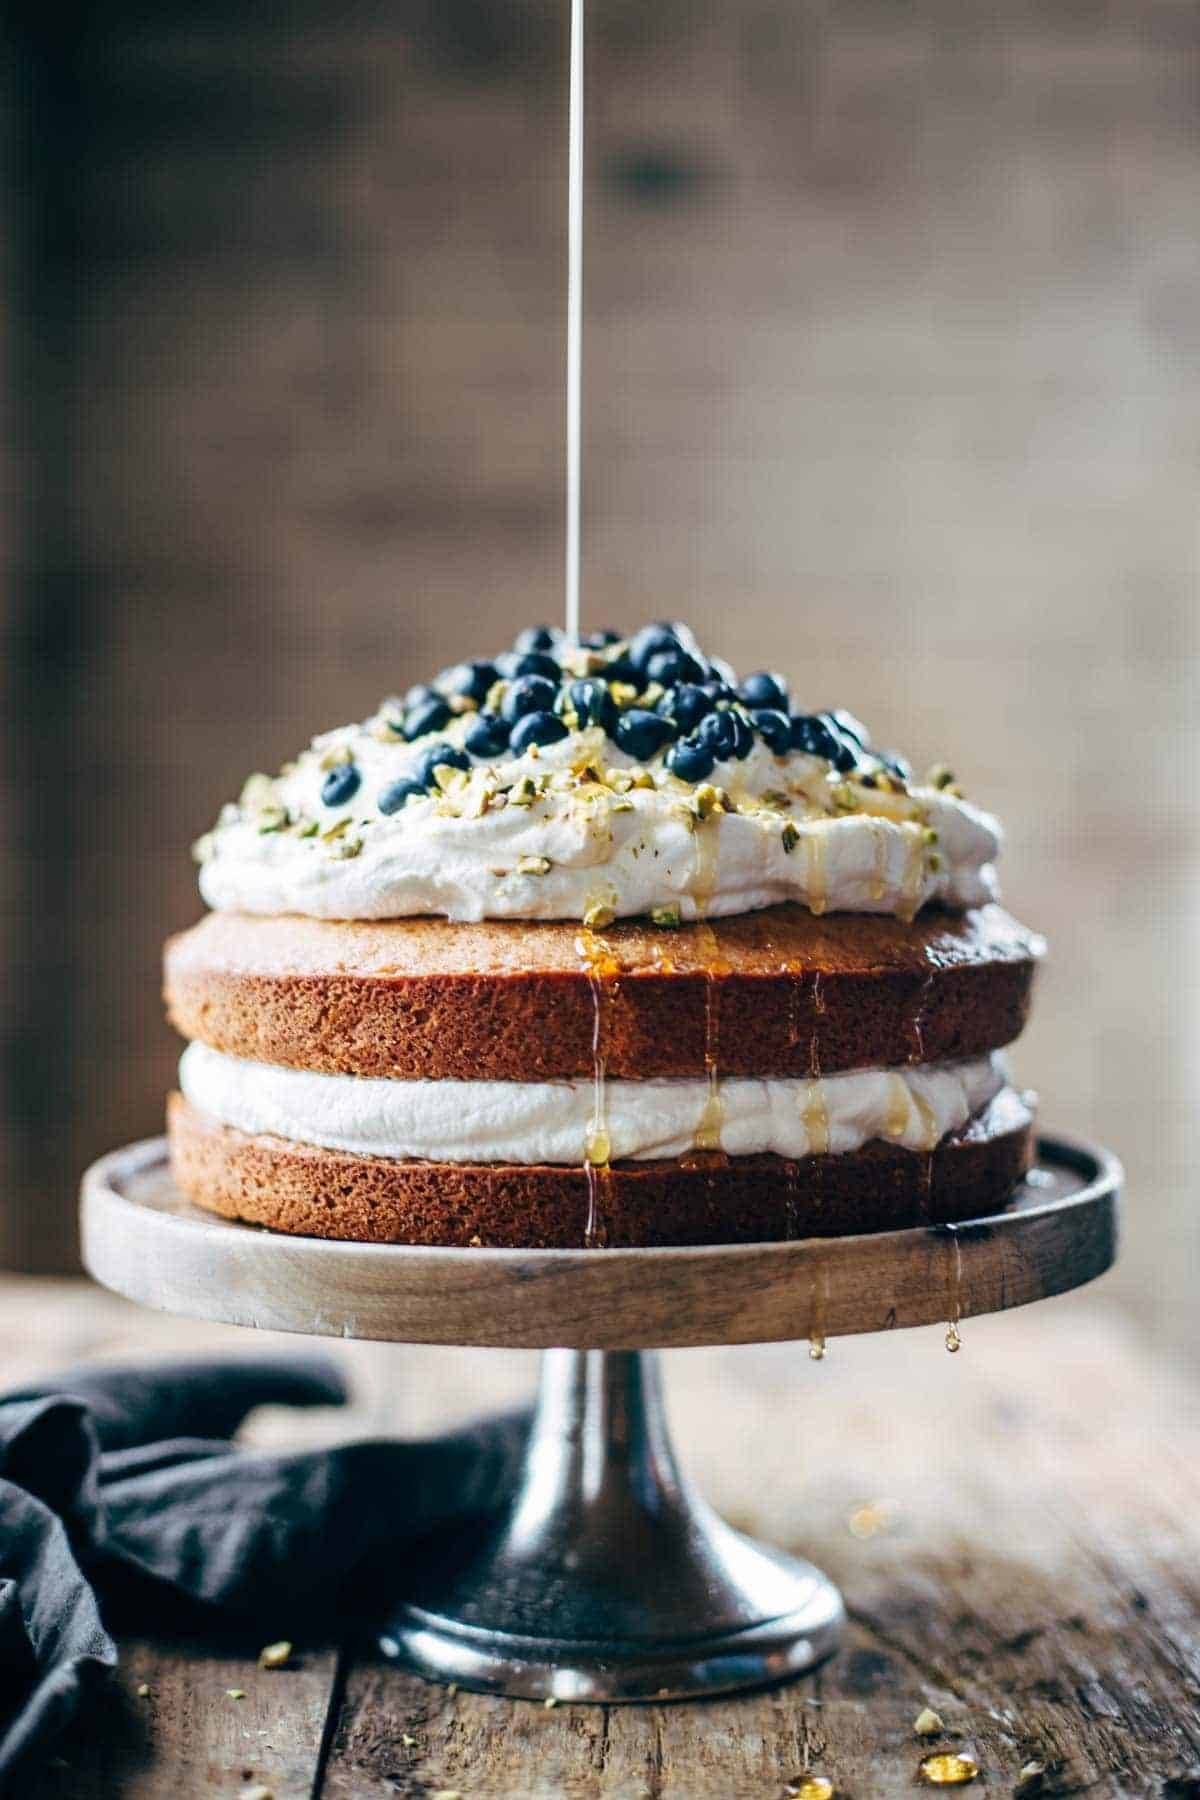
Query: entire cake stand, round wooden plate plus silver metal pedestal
{"x": 607, "y": 1579}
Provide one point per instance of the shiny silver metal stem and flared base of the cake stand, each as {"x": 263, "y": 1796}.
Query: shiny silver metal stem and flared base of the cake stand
{"x": 609, "y": 1579}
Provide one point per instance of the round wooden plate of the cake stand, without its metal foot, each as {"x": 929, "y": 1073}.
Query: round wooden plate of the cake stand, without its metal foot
{"x": 145, "y": 1241}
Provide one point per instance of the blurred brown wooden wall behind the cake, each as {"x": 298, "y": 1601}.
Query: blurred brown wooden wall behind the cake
{"x": 891, "y": 381}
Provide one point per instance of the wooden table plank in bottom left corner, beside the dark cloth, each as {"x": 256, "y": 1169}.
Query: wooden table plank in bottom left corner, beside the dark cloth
{"x": 197, "y": 1720}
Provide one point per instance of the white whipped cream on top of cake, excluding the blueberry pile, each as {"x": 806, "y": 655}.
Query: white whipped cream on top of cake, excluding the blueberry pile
{"x": 487, "y": 849}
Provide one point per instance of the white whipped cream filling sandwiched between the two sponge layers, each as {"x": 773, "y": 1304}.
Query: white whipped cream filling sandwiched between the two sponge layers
{"x": 553, "y": 1122}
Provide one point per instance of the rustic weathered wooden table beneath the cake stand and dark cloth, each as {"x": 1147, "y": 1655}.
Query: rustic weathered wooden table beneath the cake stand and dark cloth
{"x": 1016, "y": 1529}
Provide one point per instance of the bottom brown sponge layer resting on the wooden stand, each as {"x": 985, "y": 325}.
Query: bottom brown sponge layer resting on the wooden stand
{"x": 701, "y": 1200}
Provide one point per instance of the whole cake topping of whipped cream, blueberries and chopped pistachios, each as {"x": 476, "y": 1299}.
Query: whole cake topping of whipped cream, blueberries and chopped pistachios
{"x": 591, "y": 782}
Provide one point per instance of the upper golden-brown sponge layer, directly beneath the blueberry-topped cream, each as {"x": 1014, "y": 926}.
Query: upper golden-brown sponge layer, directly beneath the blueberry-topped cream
{"x": 773, "y": 993}
